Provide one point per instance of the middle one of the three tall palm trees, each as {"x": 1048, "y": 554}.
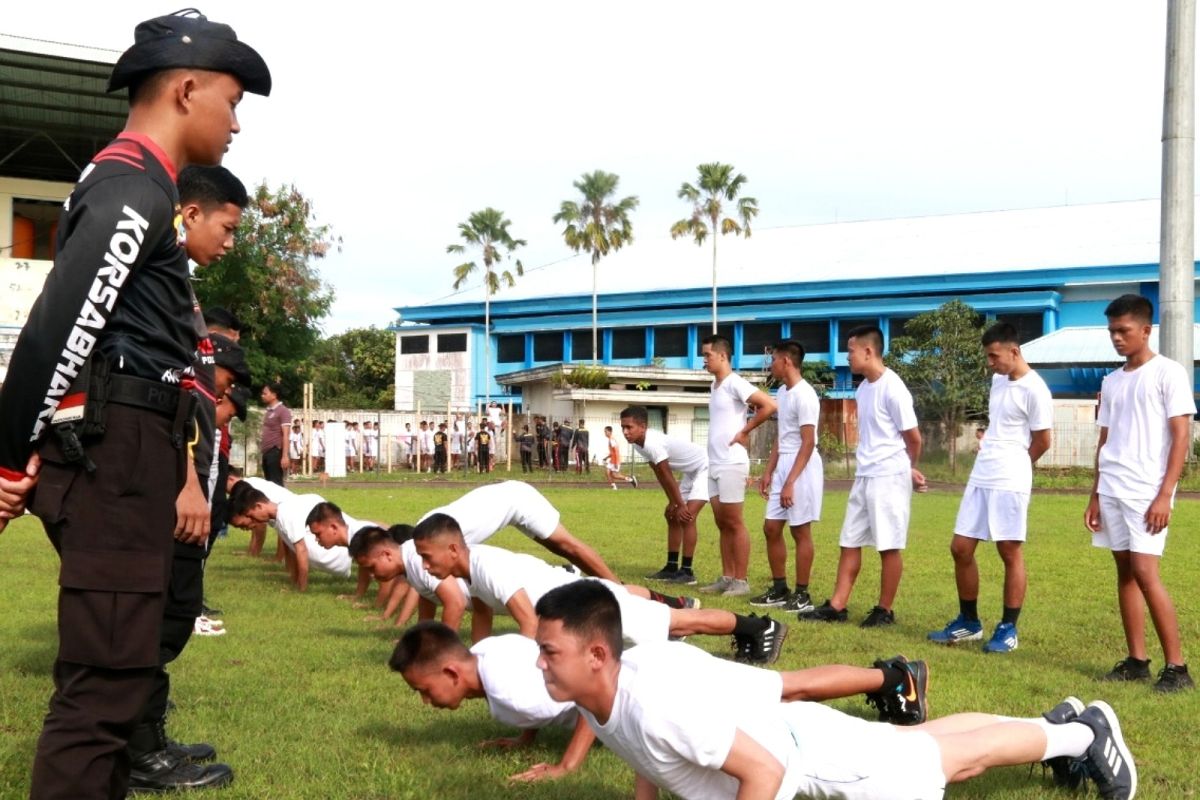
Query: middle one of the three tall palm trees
{"x": 597, "y": 226}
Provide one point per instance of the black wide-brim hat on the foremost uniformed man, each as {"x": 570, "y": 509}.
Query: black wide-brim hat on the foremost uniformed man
{"x": 183, "y": 41}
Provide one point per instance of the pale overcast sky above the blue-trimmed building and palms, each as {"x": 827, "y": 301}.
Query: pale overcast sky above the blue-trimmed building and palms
{"x": 401, "y": 119}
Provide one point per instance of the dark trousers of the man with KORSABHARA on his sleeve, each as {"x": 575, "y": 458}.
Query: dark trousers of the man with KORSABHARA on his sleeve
{"x": 113, "y": 532}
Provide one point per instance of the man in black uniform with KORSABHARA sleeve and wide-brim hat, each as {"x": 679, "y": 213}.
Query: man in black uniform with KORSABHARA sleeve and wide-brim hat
{"x": 106, "y": 362}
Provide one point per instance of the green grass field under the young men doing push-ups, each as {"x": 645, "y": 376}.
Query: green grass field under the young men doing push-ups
{"x": 299, "y": 701}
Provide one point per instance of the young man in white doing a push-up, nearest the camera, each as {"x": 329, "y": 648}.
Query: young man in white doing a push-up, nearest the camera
{"x": 652, "y": 706}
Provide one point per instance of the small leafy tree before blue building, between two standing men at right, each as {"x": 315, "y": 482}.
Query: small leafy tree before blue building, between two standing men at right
{"x": 943, "y": 363}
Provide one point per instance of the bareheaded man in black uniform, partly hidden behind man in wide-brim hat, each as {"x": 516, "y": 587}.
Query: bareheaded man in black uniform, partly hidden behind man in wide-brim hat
{"x": 212, "y": 201}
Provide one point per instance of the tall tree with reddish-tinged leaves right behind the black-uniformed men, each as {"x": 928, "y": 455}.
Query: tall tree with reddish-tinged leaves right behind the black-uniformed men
{"x": 271, "y": 281}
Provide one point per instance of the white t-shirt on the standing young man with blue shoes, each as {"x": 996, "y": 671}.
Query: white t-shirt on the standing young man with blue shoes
{"x": 1016, "y": 410}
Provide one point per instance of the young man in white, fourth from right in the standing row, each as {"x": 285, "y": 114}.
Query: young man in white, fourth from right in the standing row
{"x": 794, "y": 482}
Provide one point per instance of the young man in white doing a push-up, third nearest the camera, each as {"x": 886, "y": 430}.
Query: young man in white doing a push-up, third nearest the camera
{"x": 507, "y": 582}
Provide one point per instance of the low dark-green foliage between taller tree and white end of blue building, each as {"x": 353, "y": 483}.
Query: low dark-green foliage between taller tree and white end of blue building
{"x": 355, "y": 370}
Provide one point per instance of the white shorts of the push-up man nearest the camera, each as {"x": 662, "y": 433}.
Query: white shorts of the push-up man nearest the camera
{"x": 830, "y": 759}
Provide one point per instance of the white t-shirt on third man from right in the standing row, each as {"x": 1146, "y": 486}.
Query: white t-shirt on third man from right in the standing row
{"x": 885, "y": 411}
